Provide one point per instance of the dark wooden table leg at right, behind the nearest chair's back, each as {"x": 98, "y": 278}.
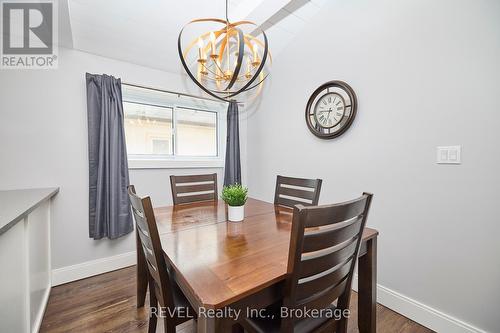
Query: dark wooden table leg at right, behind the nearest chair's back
{"x": 367, "y": 289}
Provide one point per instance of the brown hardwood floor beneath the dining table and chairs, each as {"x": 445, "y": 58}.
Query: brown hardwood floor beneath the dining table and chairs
{"x": 106, "y": 303}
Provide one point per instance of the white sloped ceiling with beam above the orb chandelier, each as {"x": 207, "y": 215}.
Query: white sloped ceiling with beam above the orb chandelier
{"x": 145, "y": 32}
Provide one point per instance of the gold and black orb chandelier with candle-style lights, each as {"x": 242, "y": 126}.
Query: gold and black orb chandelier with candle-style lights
{"x": 224, "y": 60}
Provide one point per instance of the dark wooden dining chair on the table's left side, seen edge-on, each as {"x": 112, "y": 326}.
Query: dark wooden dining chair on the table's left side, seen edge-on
{"x": 163, "y": 289}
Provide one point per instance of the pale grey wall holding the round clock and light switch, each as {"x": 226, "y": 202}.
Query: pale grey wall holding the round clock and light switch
{"x": 426, "y": 73}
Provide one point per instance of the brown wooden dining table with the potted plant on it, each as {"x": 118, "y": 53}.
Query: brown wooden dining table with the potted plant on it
{"x": 221, "y": 265}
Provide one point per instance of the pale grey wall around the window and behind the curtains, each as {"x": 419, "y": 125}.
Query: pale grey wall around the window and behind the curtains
{"x": 43, "y": 143}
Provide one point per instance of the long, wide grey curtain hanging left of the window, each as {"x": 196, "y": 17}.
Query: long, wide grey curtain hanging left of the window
{"x": 109, "y": 210}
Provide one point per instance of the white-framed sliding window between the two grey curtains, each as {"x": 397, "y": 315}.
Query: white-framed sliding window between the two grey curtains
{"x": 165, "y": 129}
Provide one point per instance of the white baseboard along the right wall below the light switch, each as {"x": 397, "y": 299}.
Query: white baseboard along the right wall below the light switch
{"x": 420, "y": 313}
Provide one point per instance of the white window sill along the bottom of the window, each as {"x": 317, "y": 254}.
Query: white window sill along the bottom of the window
{"x": 175, "y": 164}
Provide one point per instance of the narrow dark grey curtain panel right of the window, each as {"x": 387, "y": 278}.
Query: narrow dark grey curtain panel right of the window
{"x": 232, "y": 171}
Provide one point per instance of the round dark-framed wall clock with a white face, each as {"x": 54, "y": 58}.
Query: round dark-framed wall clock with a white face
{"x": 331, "y": 109}
